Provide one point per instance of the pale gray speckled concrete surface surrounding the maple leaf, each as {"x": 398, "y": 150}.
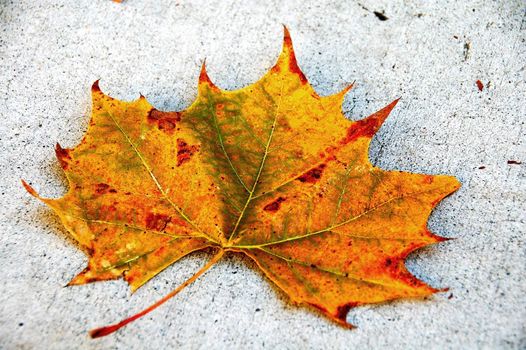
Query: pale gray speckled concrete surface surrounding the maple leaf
{"x": 430, "y": 53}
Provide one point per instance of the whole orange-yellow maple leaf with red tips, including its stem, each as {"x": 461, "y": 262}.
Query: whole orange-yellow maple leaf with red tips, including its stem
{"x": 273, "y": 170}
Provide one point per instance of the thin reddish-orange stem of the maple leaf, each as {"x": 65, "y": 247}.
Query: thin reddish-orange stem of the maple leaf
{"x": 104, "y": 331}
